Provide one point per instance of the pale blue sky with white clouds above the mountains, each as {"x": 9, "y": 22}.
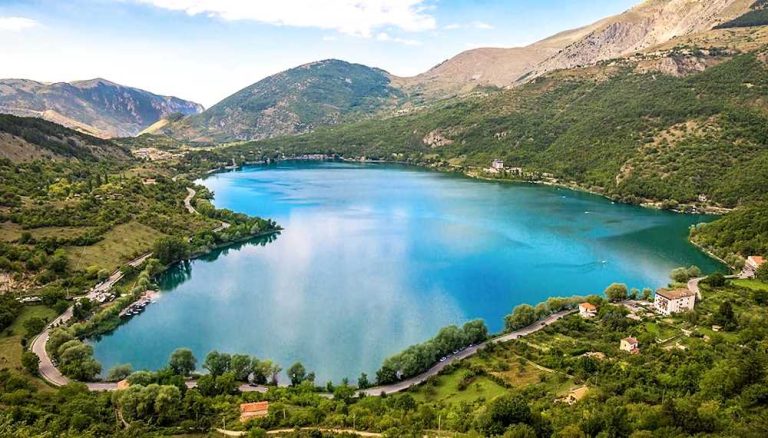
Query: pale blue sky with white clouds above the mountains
{"x": 205, "y": 50}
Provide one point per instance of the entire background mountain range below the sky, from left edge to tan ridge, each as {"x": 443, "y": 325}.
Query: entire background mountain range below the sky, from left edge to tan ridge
{"x": 332, "y": 92}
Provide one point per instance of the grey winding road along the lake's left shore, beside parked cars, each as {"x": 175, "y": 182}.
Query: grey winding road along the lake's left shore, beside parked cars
{"x": 47, "y": 370}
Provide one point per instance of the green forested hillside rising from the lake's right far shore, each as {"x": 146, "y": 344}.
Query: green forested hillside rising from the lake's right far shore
{"x": 628, "y": 134}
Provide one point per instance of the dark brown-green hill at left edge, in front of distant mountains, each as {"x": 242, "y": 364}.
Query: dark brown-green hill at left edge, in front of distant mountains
{"x": 30, "y": 138}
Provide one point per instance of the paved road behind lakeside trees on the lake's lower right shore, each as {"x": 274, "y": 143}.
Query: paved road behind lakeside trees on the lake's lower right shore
{"x": 470, "y": 351}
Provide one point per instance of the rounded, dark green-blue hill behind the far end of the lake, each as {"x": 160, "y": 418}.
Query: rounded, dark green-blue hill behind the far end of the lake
{"x": 291, "y": 102}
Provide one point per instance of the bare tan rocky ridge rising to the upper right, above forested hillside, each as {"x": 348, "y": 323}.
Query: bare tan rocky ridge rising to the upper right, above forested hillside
{"x": 650, "y": 23}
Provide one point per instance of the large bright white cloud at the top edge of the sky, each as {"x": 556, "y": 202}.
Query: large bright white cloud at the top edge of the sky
{"x": 354, "y": 17}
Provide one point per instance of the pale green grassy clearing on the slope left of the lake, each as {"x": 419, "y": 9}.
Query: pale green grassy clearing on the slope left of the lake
{"x": 119, "y": 245}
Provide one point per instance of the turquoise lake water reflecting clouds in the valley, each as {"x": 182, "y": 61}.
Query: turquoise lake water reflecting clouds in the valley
{"x": 374, "y": 258}
